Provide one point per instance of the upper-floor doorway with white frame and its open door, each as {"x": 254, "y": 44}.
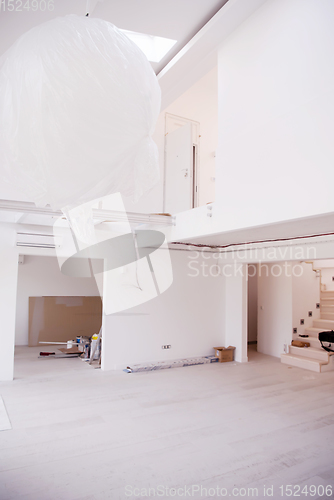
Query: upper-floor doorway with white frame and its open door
{"x": 181, "y": 179}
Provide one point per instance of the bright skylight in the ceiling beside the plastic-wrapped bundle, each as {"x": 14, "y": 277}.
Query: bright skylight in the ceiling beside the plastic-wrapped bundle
{"x": 154, "y": 47}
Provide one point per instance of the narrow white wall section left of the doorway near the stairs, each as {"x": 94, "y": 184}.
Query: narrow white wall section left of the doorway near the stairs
{"x": 236, "y": 313}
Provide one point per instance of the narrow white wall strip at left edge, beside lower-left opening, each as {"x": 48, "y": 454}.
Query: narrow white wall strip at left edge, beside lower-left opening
{"x": 8, "y": 280}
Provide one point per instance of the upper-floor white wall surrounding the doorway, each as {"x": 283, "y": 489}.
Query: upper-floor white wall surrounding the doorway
{"x": 198, "y": 103}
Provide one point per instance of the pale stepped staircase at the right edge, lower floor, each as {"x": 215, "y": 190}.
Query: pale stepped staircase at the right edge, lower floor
{"x": 314, "y": 358}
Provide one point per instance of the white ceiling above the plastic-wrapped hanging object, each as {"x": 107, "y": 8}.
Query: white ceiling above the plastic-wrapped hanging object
{"x": 176, "y": 19}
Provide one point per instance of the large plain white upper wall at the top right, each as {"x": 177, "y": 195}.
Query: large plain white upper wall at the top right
{"x": 276, "y": 114}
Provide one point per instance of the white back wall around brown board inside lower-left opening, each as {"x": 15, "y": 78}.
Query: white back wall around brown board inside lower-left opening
{"x": 40, "y": 276}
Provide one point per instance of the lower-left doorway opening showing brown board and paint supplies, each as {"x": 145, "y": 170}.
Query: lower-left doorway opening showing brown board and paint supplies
{"x": 52, "y": 310}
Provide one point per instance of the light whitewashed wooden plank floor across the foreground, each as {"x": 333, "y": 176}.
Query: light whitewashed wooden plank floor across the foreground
{"x": 80, "y": 433}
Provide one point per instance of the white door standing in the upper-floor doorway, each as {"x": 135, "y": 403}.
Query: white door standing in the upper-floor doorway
{"x": 179, "y": 175}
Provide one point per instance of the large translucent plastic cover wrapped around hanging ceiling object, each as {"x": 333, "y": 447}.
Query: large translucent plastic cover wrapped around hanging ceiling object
{"x": 78, "y": 105}
